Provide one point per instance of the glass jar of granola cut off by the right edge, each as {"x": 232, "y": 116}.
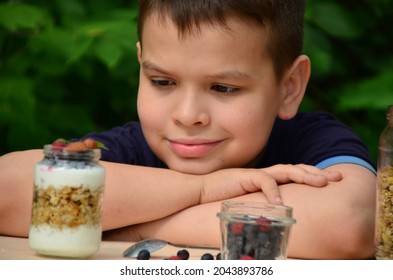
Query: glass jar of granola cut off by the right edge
{"x": 384, "y": 211}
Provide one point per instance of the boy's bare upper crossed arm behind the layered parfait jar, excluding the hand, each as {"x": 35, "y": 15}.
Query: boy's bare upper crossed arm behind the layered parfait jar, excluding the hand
{"x": 132, "y": 194}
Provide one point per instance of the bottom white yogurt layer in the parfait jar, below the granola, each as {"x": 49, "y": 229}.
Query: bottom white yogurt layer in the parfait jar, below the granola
{"x": 81, "y": 242}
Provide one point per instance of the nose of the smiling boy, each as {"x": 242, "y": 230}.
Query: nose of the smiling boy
{"x": 191, "y": 110}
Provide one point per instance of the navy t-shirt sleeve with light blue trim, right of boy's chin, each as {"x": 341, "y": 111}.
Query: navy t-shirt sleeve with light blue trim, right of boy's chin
{"x": 316, "y": 139}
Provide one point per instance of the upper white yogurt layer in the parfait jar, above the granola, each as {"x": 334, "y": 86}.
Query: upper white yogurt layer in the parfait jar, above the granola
{"x": 91, "y": 177}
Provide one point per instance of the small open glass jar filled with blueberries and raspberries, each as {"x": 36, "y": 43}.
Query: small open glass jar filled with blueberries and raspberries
{"x": 254, "y": 230}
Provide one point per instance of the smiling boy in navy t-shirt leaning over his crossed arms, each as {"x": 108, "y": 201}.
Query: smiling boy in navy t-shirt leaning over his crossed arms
{"x": 220, "y": 86}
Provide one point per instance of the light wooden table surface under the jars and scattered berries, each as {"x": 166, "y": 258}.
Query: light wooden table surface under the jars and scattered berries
{"x": 15, "y": 248}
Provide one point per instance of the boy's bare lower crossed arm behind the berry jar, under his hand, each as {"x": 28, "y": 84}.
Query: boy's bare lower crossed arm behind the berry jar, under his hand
{"x": 334, "y": 222}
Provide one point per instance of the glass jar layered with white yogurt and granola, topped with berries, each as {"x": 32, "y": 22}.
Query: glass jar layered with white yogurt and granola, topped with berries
{"x": 67, "y": 202}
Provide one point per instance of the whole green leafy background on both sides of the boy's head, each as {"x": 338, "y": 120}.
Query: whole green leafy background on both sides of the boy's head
{"x": 69, "y": 67}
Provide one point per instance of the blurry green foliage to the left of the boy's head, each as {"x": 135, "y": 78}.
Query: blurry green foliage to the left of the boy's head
{"x": 67, "y": 67}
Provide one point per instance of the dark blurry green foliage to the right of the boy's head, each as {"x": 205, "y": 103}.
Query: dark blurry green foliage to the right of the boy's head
{"x": 350, "y": 46}
